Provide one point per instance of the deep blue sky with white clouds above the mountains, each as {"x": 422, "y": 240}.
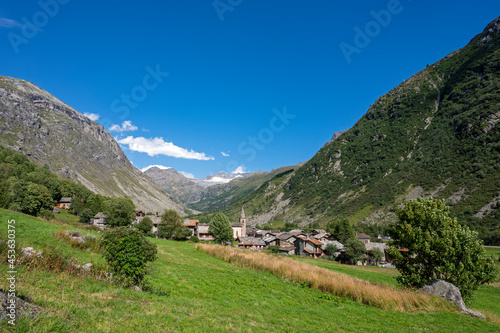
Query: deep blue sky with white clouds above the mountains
{"x": 209, "y": 86}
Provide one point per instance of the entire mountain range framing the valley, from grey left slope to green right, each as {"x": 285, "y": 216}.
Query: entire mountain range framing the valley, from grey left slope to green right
{"x": 435, "y": 134}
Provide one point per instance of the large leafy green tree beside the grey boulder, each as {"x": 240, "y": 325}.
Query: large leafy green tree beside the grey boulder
{"x": 438, "y": 248}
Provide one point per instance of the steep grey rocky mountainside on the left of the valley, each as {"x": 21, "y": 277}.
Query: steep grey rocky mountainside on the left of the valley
{"x": 34, "y": 122}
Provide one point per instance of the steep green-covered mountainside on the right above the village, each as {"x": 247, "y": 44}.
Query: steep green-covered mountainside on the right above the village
{"x": 435, "y": 134}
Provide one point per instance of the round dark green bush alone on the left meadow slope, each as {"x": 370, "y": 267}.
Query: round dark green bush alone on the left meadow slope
{"x": 127, "y": 252}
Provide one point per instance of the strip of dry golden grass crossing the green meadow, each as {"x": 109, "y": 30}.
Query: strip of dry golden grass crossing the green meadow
{"x": 342, "y": 285}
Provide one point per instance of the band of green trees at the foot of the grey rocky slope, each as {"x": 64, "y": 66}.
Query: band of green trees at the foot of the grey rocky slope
{"x": 34, "y": 190}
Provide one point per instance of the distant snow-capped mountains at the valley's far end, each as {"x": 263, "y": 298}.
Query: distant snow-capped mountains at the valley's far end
{"x": 203, "y": 194}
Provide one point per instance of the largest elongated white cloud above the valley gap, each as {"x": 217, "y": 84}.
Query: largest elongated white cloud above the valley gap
{"x": 157, "y": 146}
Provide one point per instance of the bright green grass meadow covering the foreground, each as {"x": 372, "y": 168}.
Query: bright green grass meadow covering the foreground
{"x": 203, "y": 294}
